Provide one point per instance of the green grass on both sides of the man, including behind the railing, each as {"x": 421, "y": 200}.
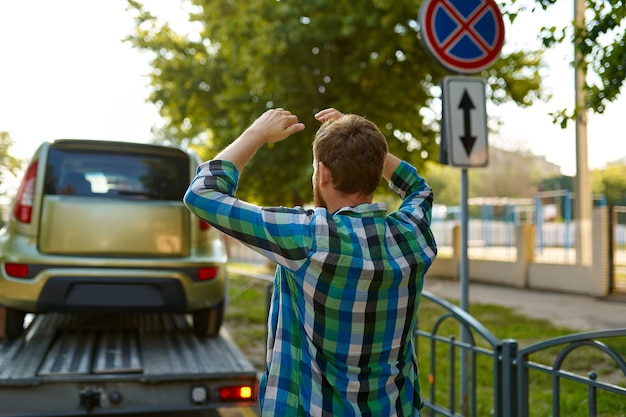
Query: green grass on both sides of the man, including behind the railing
{"x": 246, "y": 320}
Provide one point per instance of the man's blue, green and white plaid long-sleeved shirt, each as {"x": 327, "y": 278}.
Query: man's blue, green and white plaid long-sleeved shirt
{"x": 346, "y": 294}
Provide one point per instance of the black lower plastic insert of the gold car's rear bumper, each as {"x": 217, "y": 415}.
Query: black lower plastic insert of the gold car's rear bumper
{"x": 108, "y": 295}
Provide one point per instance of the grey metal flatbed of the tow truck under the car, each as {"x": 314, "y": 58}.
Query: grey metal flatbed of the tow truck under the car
{"x": 81, "y": 364}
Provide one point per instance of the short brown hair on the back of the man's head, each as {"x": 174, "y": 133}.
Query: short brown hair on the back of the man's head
{"x": 354, "y": 150}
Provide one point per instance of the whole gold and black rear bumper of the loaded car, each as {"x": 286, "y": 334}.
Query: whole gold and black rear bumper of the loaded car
{"x": 90, "y": 288}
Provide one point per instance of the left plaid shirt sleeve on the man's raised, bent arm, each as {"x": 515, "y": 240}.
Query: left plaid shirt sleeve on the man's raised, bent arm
{"x": 281, "y": 234}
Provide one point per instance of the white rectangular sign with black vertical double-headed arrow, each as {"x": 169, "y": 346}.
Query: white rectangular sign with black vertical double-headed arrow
{"x": 465, "y": 121}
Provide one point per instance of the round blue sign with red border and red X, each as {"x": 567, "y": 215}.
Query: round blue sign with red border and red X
{"x": 464, "y": 35}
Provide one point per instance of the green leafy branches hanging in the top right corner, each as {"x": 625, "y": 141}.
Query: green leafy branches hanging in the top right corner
{"x": 602, "y": 43}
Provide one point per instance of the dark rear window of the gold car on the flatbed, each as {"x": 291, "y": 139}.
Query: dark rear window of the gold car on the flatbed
{"x": 130, "y": 175}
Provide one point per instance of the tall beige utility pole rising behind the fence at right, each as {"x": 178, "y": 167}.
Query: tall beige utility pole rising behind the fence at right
{"x": 584, "y": 202}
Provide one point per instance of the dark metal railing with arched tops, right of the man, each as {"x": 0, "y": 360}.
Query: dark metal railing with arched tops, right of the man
{"x": 517, "y": 375}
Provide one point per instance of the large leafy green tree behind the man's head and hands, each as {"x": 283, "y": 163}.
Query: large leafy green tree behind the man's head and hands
{"x": 363, "y": 57}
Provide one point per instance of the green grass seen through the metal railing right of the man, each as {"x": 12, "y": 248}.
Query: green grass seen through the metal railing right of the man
{"x": 505, "y": 323}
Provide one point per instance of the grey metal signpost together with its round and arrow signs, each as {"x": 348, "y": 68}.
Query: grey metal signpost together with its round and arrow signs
{"x": 451, "y": 32}
